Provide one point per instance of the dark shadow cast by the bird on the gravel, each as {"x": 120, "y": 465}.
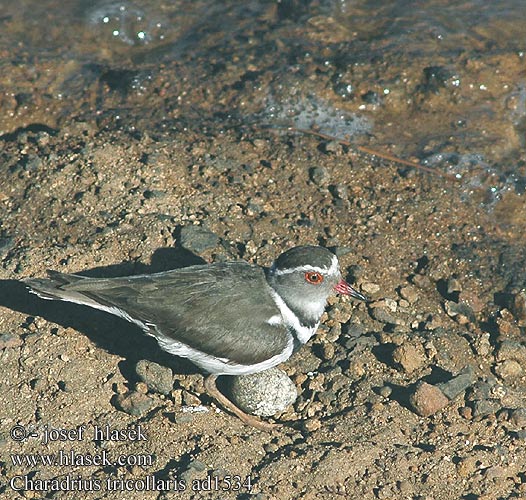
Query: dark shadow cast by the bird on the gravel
{"x": 109, "y": 332}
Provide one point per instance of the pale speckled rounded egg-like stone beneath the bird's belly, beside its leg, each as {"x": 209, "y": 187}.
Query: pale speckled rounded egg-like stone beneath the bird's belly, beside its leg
{"x": 265, "y": 393}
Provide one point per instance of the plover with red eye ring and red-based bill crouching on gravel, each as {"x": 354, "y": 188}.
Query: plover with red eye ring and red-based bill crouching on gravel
{"x": 228, "y": 318}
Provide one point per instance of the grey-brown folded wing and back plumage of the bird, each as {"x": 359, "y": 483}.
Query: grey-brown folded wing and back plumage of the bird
{"x": 219, "y": 309}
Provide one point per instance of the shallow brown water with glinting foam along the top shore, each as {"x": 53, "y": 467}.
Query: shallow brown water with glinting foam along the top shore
{"x": 438, "y": 81}
